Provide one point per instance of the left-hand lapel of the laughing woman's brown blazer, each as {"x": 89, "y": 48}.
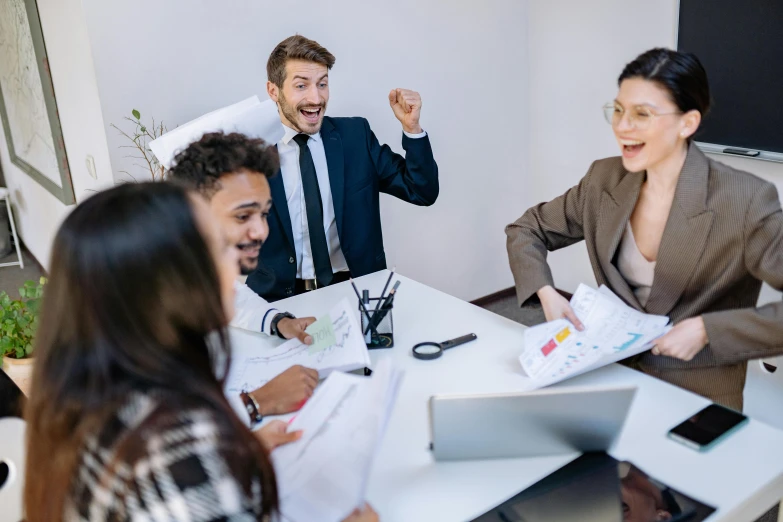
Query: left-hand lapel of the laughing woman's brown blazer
{"x": 616, "y": 208}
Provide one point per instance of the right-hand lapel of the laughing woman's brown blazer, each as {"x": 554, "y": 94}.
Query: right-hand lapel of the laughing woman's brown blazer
{"x": 684, "y": 236}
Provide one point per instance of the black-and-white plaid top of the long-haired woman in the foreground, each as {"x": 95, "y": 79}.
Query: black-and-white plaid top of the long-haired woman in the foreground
{"x": 175, "y": 466}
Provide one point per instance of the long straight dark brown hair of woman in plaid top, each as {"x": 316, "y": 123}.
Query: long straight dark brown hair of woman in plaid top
{"x": 132, "y": 305}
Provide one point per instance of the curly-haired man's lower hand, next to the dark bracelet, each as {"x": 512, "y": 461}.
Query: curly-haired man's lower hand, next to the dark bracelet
{"x": 287, "y": 392}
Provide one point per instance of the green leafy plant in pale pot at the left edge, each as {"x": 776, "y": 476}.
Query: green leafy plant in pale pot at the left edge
{"x": 18, "y": 323}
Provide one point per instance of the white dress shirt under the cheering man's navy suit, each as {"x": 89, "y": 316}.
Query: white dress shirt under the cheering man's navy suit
{"x": 288, "y": 151}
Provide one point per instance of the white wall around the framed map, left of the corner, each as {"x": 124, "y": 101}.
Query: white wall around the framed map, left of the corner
{"x": 38, "y": 213}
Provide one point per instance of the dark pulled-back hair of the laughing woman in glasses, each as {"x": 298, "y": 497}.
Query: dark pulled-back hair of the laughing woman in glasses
{"x": 681, "y": 74}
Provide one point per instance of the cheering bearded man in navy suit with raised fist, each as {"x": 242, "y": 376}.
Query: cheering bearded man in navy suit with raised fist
{"x": 331, "y": 173}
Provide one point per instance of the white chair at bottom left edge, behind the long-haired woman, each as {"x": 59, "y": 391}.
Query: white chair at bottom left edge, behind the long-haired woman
{"x": 12, "y": 462}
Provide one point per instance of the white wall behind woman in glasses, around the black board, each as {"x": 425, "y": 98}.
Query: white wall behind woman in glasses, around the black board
{"x": 577, "y": 51}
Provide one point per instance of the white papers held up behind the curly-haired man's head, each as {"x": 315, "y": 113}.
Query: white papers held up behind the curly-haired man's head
{"x": 251, "y": 116}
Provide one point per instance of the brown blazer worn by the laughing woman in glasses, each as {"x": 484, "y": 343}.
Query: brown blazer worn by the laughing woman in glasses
{"x": 723, "y": 237}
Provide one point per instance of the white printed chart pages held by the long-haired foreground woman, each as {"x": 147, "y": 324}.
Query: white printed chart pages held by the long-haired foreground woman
{"x": 323, "y": 476}
